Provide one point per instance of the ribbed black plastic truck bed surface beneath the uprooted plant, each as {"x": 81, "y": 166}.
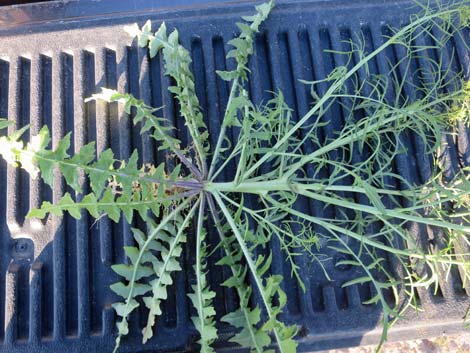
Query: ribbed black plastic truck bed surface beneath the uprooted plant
{"x": 55, "y": 277}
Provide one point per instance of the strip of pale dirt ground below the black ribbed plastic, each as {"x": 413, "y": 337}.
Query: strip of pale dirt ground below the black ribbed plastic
{"x": 442, "y": 344}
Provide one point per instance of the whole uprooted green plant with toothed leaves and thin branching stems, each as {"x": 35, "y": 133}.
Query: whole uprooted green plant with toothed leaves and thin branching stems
{"x": 276, "y": 161}
